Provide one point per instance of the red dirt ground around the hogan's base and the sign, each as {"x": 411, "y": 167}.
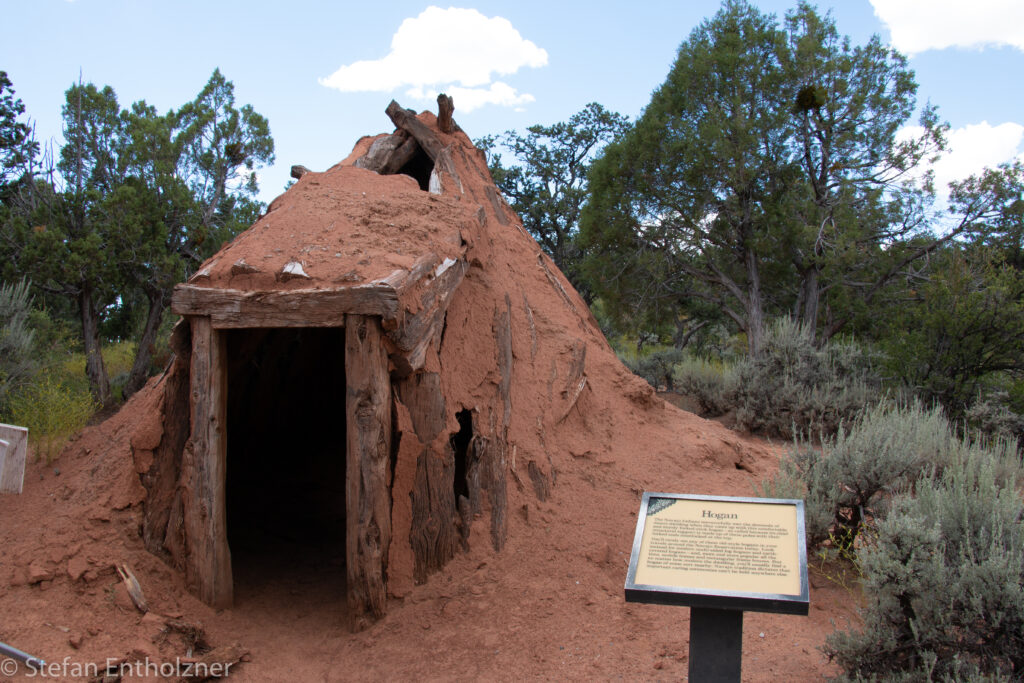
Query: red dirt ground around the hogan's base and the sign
{"x": 549, "y": 607}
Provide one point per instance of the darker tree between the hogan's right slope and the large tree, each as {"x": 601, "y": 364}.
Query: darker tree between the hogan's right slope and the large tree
{"x": 547, "y": 185}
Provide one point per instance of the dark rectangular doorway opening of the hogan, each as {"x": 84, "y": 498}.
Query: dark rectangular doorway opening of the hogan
{"x": 286, "y": 466}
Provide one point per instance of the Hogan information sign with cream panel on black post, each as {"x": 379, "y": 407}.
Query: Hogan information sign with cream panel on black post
{"x": 720, "y": 557}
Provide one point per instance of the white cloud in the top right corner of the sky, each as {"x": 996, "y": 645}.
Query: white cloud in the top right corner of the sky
{"x": 918, "y": 26}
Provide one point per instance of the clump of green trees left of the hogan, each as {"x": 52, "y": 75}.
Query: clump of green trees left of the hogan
{"x": 145, "y": 198}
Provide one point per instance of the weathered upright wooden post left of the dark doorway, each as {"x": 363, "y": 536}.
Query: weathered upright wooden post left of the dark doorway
{"x": 208, "y": 561}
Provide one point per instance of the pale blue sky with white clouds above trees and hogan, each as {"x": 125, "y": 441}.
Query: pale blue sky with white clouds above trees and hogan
{"x": 300, "y": 65}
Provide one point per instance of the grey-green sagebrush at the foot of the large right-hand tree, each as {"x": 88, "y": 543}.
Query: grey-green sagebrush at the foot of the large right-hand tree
{"x": 794, "y": 388}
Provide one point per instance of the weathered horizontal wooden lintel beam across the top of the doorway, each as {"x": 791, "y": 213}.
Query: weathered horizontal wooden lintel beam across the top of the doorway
{"x": 291, "y": 309}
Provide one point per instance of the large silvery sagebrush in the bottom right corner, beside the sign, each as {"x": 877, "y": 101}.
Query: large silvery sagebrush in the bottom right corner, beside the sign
{"x": 945, "y": 578}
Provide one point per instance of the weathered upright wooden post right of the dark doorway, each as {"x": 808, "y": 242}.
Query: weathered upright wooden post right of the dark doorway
{"x": 368, "y": 473}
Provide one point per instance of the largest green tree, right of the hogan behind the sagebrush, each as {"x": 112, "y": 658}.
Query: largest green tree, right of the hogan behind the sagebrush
{"x": 764, "y": 177}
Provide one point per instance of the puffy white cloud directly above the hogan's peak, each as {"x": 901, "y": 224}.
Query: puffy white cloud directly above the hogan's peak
{"x": 453, "y": 51}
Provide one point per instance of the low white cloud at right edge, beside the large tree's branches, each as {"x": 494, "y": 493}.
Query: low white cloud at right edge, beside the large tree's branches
{"x": 972, "y": 149}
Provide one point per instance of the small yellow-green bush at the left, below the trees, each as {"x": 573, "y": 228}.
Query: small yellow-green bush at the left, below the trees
{"x": 53, "y": 411}
